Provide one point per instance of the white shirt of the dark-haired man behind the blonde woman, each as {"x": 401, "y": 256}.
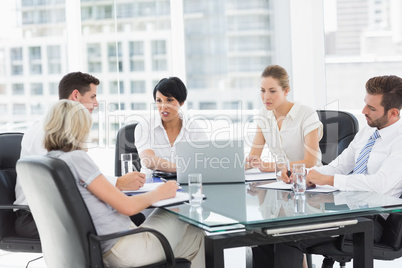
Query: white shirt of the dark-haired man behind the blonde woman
{"x": 32, "y": 144}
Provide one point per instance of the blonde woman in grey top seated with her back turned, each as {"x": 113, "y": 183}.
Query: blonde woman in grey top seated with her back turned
{"x": 66, "y": 130}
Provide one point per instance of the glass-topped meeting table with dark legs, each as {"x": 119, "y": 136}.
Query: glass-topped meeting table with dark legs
{"x": 237, "y": 215}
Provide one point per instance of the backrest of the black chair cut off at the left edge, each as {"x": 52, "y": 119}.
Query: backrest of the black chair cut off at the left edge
{"x": 10, "y": 148}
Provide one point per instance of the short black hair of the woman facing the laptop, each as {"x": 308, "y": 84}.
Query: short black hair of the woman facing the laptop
{"x": 172, "y": 87}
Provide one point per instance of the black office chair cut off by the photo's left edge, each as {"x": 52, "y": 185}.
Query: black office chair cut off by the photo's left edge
{"x": 10, "y": 148}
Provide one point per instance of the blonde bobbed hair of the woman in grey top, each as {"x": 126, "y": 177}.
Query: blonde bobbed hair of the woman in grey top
{"x": 67, "y": 126}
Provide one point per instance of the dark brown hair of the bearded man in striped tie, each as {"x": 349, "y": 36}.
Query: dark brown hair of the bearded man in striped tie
{"x": 390, "y": 86}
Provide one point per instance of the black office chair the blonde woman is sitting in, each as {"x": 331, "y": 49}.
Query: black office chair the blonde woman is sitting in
{"x": 68, "y": 236}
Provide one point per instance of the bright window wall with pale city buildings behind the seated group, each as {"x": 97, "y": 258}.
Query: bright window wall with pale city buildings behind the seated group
{"x": 219, "y": 48}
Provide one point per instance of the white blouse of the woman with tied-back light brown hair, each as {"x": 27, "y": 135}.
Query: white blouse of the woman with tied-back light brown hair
{"x": 289, "y": 140}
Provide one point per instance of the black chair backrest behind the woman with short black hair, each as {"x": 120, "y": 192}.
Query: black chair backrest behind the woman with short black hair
{"x": 125, "y": 144}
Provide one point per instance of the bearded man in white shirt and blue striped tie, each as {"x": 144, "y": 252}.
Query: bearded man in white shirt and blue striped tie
{"x": 368, "y": 164}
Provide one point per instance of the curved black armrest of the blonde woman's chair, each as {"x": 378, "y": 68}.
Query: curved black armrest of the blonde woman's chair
{"x": 164, "y": 242}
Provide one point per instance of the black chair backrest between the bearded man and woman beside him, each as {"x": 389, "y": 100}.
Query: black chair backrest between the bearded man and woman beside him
{"x": 340, "y": 129}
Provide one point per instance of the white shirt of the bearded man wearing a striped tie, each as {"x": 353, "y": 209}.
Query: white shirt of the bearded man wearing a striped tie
{"x": 383, "y": 174}
